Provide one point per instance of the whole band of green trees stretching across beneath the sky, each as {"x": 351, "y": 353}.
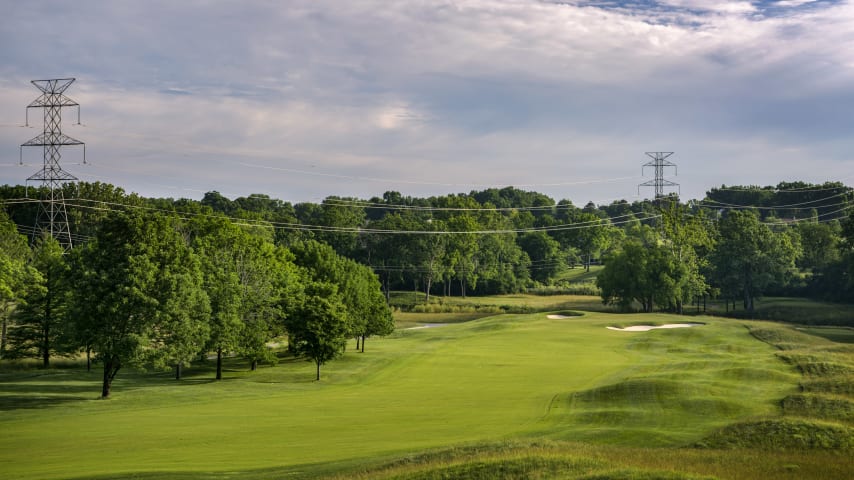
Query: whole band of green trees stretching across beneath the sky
{"x": 161, "y": 281}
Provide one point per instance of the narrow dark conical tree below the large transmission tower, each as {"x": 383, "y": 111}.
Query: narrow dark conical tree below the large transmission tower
{"x": 40, "y": 318}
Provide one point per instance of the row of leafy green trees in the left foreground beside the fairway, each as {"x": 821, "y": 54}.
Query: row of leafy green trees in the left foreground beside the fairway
{"x": 159, "y": 290}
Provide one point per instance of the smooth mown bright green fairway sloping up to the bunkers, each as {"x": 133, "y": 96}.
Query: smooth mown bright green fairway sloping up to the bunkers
{"x": 485, "y": 380}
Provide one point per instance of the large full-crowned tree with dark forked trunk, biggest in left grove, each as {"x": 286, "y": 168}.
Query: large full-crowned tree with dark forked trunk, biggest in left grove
{"x": 130, "y": 285}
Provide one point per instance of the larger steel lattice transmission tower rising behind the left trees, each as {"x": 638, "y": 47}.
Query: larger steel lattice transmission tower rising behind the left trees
{"x": 52, "y": 217}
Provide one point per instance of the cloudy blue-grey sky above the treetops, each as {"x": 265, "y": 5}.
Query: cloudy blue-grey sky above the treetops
{"x": 301, "y": 100}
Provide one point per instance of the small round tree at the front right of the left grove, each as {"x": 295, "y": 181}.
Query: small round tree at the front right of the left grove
{"x": 318, "y": 330}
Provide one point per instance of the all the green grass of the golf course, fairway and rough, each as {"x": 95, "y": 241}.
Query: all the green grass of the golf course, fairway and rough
{"x": 521, "y": 395}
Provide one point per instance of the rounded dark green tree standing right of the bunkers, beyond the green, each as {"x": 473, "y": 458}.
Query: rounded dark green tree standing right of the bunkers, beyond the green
{"x": 750, "y": 257}
